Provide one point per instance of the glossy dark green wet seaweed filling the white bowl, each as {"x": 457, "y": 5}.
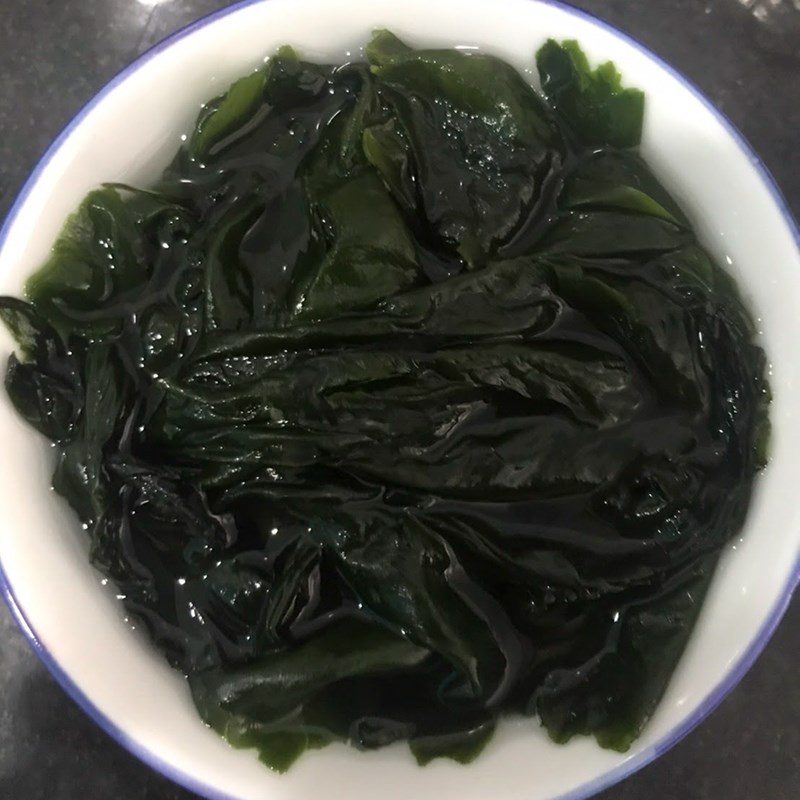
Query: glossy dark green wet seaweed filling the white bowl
{"x": 405, "y": 400}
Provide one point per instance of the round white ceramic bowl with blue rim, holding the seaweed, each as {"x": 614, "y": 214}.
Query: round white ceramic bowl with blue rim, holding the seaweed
{"x": 127, "y": 133}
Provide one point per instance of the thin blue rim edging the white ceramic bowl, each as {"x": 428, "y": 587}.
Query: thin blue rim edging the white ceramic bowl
{"x": 586, "y": 790}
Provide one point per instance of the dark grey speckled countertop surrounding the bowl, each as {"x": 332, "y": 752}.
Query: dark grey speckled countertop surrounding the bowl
{"x": 744, "y": 54}
